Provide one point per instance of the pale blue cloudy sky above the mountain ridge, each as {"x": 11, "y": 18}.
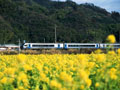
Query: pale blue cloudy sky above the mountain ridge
{"x": 109, "y": 5}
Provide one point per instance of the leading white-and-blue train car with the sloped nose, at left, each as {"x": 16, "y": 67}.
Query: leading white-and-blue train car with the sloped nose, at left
{"x": 42, "y": 45}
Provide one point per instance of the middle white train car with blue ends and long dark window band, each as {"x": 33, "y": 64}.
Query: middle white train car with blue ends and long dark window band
{"x": 81, "y": 45}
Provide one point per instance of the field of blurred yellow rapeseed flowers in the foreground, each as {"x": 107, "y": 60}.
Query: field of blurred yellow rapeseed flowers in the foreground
{"x": 60, "y": 72}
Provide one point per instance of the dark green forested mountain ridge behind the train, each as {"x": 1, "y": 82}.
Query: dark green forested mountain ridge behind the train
{"x": 35, "y": 20}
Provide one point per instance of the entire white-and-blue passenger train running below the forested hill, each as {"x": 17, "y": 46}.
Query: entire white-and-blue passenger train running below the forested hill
{"x": 68, "y": 45}
